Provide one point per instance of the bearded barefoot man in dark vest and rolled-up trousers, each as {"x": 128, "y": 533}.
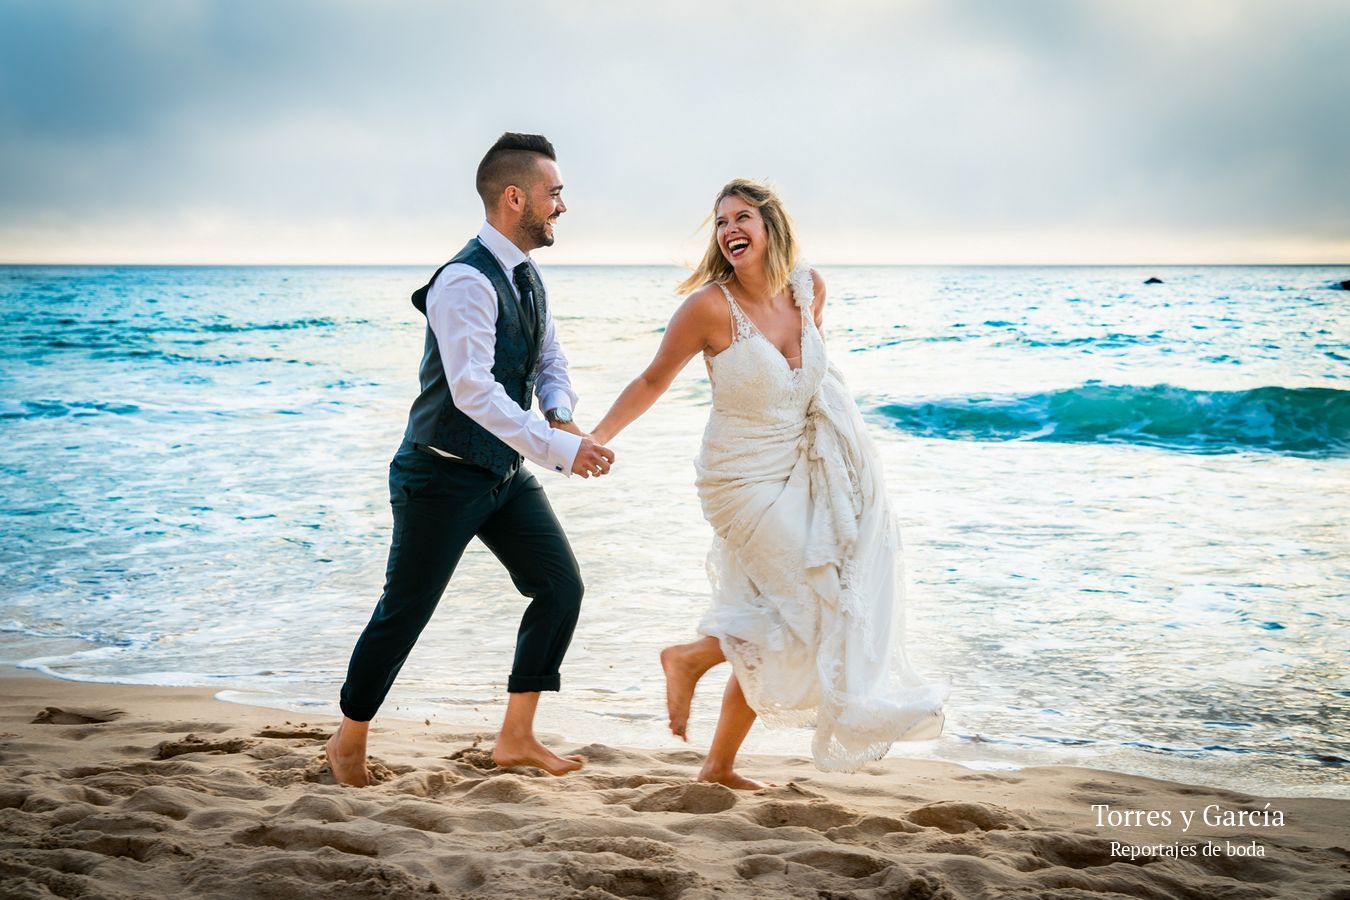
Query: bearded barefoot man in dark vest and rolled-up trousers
{"x": 491, "y": 345}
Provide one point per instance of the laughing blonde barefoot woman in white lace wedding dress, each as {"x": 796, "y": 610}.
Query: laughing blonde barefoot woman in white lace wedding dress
{"x": 805, "y": 562}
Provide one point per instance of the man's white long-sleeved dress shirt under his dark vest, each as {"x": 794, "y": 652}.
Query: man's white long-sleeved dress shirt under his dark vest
{"x": 462, "y": 314}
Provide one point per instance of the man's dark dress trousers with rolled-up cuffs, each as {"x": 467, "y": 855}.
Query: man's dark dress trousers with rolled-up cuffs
{"x": 439, "y": 507}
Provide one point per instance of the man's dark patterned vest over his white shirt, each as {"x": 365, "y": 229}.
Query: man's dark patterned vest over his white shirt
{"x": 434, "y": 419}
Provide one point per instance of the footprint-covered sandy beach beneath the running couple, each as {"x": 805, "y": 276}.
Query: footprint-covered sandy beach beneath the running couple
{"x": 114, "y": 791}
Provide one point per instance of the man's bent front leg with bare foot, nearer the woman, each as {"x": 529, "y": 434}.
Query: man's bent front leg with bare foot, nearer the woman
{"x": 529, "y": 540}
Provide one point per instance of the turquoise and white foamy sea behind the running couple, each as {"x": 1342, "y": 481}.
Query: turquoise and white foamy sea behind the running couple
{"x": 1125, "y": 507}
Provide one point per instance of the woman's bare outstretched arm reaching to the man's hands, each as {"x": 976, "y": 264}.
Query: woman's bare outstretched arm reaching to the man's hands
{"x": 688, "y": 334}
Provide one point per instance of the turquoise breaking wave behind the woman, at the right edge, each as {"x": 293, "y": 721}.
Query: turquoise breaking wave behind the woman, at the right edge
{"x": 1302, "y": 422}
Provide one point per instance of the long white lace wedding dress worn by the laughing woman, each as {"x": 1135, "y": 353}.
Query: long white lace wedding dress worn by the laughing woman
{"x": 805, "y": 563}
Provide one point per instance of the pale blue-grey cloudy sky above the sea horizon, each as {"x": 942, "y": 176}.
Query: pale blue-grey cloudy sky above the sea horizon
{"x": 908, "y": 132}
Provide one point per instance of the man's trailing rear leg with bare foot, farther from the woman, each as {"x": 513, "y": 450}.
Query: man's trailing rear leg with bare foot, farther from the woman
{"x": 437, "y": 511}
